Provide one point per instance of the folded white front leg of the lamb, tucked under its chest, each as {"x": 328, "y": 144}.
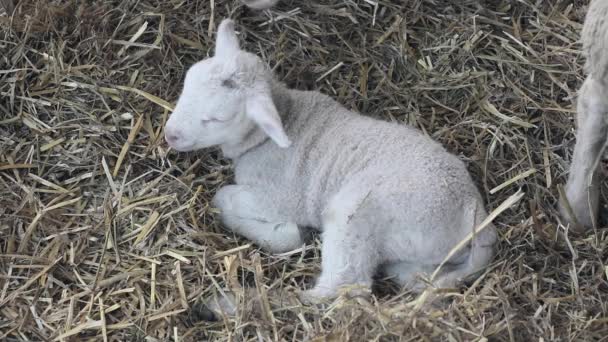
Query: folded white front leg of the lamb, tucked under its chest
{"x": 248, "y": 213}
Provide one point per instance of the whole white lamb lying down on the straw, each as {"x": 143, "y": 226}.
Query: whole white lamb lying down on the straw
{"x": 386, "y": 197}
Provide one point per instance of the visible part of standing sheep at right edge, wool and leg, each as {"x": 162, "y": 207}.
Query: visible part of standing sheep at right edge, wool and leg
{"x": 583, "y": 186}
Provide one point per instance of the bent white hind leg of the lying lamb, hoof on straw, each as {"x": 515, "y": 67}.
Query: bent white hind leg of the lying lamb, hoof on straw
{"x": 349, "y": 251}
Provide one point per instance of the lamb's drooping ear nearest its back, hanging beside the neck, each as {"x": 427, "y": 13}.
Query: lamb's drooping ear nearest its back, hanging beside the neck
{"x": 261, "y": 109}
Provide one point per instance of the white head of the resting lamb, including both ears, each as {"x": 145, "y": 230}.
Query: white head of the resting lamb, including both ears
{"x": 224, "y": 98}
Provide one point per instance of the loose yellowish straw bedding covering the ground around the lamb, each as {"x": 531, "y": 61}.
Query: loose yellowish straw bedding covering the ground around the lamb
{"x": 105, "y": 234}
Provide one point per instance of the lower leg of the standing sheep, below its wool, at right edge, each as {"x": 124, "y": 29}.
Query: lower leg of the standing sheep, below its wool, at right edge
{"x": 582, "y": 189}
